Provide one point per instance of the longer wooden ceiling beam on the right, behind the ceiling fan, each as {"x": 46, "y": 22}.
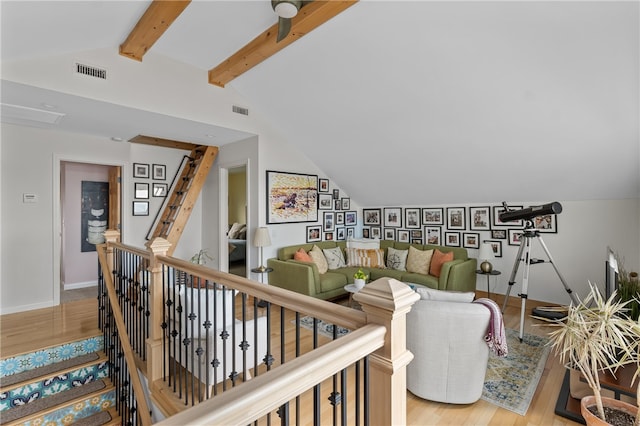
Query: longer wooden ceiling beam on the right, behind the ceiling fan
{"x": 311, "y": 16}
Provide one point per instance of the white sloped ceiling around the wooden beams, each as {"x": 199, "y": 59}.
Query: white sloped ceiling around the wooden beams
{"x": 402, "y": 103}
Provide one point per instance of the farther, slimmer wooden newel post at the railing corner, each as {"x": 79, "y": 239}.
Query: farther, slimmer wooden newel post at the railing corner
{"x": 157, "y": 247}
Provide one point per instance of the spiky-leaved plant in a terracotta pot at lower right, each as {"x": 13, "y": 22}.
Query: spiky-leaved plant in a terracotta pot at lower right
{"x": 594, "y": 337}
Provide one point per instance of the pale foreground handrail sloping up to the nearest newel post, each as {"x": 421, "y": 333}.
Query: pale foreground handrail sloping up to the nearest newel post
{"x": 264, "y": 393}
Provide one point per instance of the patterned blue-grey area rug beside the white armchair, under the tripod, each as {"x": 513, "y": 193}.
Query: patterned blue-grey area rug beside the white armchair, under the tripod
{"x": 511, "y": 382}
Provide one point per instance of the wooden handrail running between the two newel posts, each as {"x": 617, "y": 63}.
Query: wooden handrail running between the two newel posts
{"x": 330, "y": 312}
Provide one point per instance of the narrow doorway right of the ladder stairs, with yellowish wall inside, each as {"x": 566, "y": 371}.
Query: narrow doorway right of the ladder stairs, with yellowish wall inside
{"x": 237, "y": 220}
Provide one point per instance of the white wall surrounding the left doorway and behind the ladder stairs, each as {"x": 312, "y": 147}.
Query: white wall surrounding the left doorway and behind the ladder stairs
{"x": 31, "y": 231}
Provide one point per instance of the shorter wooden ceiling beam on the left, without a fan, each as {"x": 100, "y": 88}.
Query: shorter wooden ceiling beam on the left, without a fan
{"x": 154, "y": 22}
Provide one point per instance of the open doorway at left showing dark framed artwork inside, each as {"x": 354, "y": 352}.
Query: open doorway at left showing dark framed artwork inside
{"x": 90, "y": 203}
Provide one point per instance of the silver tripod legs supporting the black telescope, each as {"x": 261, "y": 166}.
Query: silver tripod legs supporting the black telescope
{"x": 524, "y": 256}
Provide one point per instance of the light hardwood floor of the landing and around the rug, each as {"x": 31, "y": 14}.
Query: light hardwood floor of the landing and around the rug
{"x": 24, "y": 332}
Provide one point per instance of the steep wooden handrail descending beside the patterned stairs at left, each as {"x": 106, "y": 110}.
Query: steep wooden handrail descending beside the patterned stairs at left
{"x": 143, "y": 408}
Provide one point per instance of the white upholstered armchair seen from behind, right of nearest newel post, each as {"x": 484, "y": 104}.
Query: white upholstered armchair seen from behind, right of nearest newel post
{"x": 450, "y": 353}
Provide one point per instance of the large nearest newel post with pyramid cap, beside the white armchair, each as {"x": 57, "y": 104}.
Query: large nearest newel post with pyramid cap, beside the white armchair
{"x": 387, "y": 301}
